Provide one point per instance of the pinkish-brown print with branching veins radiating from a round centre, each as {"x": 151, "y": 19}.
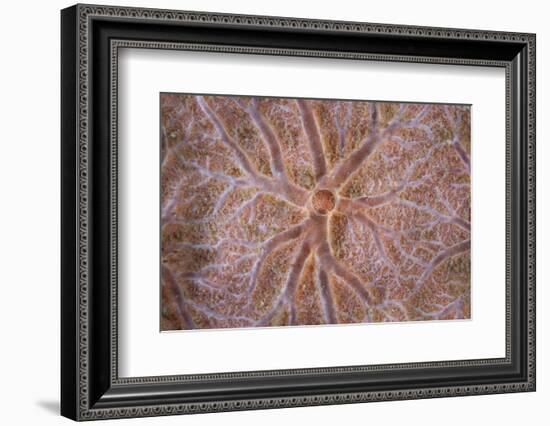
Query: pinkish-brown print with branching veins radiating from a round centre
{"x": 281, "y": 211}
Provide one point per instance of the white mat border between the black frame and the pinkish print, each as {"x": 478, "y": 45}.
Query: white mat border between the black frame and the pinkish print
{"x": 146, "y": 352}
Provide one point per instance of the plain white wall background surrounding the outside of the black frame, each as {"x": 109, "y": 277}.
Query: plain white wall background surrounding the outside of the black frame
{"x": 29, "y": 229}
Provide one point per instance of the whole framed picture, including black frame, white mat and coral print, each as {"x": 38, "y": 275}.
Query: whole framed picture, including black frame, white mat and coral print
{"x": 263, "y": 212}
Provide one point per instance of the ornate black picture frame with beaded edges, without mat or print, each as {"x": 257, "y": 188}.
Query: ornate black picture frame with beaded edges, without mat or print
{"x": 90, "y": 38}
